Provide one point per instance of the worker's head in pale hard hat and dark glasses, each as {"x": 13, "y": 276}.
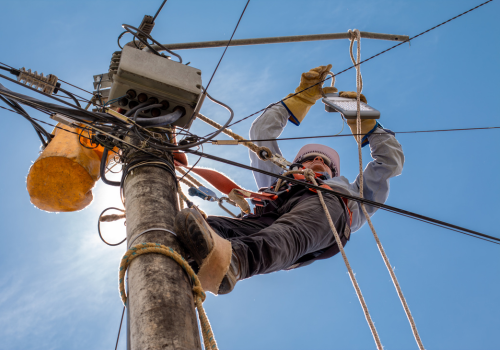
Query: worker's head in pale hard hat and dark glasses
{"x": 320, "y": 159}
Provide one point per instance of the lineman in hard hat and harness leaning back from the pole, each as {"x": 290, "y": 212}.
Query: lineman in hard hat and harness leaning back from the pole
{"x": 291, "y": 231}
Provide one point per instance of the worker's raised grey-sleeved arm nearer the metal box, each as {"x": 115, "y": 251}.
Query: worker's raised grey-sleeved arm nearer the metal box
{"x": 269, "y": 125}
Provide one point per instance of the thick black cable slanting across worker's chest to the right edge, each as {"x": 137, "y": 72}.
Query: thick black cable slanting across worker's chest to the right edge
{"x": 389, "y": 208}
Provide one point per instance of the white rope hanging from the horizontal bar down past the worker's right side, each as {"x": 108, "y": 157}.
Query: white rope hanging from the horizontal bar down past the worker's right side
{"x": 356, "y": 35}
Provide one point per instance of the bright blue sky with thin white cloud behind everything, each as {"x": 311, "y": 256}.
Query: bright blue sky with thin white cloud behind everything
{"x": 58, "y": 286}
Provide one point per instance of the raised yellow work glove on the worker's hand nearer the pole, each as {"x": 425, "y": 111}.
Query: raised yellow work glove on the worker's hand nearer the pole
{"x": 298, "y": 105}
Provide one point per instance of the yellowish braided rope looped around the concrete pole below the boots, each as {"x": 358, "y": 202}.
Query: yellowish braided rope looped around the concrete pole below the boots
{"x": 199, "y": 295}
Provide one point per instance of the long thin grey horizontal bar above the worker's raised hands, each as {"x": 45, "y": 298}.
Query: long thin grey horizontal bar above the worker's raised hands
{"x": 281, "y": 39}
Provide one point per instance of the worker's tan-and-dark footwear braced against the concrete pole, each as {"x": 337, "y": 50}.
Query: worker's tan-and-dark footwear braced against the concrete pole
{"x": 219, "y": 266}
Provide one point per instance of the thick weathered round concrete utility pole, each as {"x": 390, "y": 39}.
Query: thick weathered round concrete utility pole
{"x": 160, "y": 300}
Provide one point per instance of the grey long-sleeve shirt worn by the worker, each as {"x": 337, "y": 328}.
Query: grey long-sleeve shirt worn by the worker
{"x": 387, "y": 162}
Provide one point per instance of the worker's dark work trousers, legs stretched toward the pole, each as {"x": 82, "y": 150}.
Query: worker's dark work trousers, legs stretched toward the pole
{"x": 300, "y": 230}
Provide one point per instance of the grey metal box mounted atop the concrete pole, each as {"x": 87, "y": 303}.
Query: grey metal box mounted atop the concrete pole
{"x": 156, "y": 76}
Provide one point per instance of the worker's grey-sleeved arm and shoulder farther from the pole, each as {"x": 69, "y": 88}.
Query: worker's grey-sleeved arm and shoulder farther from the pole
{"x": 387, "y": 162}
